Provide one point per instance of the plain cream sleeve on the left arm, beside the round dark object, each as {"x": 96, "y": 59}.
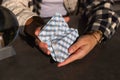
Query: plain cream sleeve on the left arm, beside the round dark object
{"x": 20, "y": 9}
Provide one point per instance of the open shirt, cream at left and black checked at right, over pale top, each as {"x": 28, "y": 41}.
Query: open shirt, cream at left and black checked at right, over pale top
{"x": 99, "y": 13}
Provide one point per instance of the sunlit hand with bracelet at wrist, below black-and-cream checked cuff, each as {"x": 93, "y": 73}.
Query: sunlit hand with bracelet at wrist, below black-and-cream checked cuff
{"x": 81, "y": 48}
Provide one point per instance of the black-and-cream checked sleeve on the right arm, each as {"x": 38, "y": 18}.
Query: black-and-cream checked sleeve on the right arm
{"x": 102, "y": 17}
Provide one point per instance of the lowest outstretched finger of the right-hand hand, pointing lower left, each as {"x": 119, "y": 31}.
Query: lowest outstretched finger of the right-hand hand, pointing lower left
{"x": 77, "y": 55}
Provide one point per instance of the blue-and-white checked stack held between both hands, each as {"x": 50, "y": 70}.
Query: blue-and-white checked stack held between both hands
{"x": 58, "y": 36}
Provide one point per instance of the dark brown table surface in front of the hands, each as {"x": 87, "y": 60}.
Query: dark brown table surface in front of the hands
{"x": 29, "y": 63}
